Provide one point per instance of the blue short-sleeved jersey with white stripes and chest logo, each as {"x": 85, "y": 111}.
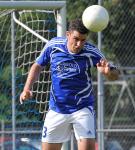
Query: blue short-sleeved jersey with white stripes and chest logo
{"x": 71, "y": 88}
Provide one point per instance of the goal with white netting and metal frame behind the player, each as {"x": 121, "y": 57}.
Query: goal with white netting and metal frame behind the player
{"x": 23, "y": 34}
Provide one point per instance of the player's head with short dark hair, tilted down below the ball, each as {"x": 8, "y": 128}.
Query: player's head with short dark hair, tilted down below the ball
{"x": 76, "y": 35}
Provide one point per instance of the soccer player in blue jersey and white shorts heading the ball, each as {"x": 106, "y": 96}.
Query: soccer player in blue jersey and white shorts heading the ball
{"x": 71, "y": 94}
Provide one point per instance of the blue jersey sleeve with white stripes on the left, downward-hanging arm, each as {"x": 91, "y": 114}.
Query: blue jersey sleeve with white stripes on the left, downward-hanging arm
{"x": 44, "y": 57}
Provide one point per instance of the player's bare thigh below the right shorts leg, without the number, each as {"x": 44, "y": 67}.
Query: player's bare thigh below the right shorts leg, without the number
{"x": 86, "y": 144}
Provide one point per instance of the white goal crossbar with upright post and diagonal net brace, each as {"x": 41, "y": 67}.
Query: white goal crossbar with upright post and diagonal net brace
{"x": 54, "y": 5}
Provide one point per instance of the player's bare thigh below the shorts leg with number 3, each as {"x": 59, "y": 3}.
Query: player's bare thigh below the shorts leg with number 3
{"x": 51, "y": 146}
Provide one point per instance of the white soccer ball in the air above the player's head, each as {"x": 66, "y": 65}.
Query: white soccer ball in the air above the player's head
{"x": 95, "y": 18}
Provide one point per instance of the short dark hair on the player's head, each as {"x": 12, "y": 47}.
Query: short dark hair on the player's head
{"x": 78, "y": 26}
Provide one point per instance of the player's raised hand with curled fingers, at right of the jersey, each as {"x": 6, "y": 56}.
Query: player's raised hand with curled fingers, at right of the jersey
{"x": 103, "y": 66}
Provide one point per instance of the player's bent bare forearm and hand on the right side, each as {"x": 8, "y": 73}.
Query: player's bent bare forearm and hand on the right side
{"x": 110, "y": 72}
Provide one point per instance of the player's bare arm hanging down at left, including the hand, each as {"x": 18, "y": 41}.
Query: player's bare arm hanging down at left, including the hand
{"x": 32, "y": 77}
